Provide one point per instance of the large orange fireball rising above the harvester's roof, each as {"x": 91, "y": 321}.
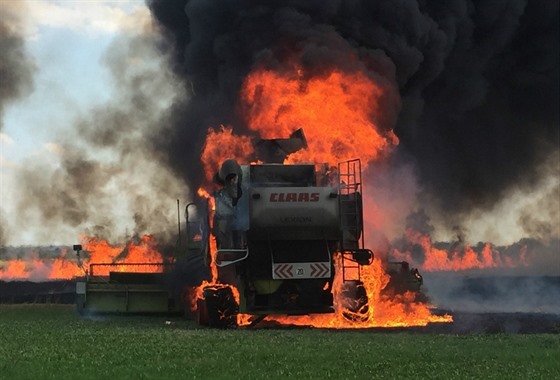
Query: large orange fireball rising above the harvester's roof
{"x": 338, "y": 111}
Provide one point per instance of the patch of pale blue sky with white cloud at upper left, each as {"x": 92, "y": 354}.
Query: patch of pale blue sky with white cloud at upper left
{"x": 65, "y": 41}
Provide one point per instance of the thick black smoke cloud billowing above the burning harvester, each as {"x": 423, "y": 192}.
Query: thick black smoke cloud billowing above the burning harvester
{"x": 478, "y": 79}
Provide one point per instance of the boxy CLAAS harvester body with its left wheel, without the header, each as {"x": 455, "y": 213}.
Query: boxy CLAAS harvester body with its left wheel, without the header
{"x": 278, "y": 230}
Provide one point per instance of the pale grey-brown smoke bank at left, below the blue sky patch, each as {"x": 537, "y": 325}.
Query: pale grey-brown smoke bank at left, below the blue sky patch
{"x": 102, "y": 176}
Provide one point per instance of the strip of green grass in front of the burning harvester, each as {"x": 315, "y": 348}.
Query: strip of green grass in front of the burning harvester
{"x": 54, "y": 342}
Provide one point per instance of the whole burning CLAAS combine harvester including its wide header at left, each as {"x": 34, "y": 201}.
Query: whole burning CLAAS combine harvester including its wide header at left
{"x": 274, "y": 239}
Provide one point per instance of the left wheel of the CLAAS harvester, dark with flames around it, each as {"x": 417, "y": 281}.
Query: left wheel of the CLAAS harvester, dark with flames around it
{"x": 220, "y": 307}
